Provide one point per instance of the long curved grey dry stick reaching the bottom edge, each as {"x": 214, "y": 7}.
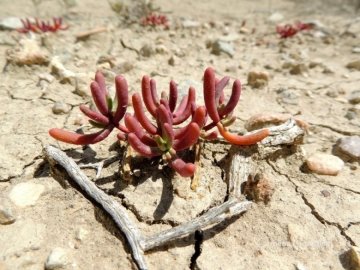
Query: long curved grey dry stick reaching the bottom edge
{"x": 116, "y": 211}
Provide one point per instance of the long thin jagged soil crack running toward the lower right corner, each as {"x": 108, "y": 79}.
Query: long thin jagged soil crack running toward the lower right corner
{"x": 314, "y": 212}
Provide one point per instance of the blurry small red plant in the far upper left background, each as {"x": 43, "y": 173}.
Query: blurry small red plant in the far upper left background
{"x": 41, "y": 26}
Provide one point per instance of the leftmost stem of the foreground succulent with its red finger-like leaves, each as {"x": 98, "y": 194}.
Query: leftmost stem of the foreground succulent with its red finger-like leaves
{"x": 105, "y": 118}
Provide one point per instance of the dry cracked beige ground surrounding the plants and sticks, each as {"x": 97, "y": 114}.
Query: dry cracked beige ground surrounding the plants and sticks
{"x": 310, "y": 221}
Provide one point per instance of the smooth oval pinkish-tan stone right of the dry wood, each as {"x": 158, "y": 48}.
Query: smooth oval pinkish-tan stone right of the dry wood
{"x": 326, "y": 164}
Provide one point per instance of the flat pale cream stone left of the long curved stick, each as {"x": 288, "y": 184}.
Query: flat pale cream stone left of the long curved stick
{"x": 25, "y": 194}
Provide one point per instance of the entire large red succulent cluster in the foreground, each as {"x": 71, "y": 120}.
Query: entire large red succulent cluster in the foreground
{"x": 169, "y": 126}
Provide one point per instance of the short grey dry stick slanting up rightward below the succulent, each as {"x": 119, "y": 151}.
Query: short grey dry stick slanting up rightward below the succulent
{"x": 214, "y": 216}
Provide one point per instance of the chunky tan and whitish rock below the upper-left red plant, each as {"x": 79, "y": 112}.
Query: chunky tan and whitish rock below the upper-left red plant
{"x": 27, "y": 52}
